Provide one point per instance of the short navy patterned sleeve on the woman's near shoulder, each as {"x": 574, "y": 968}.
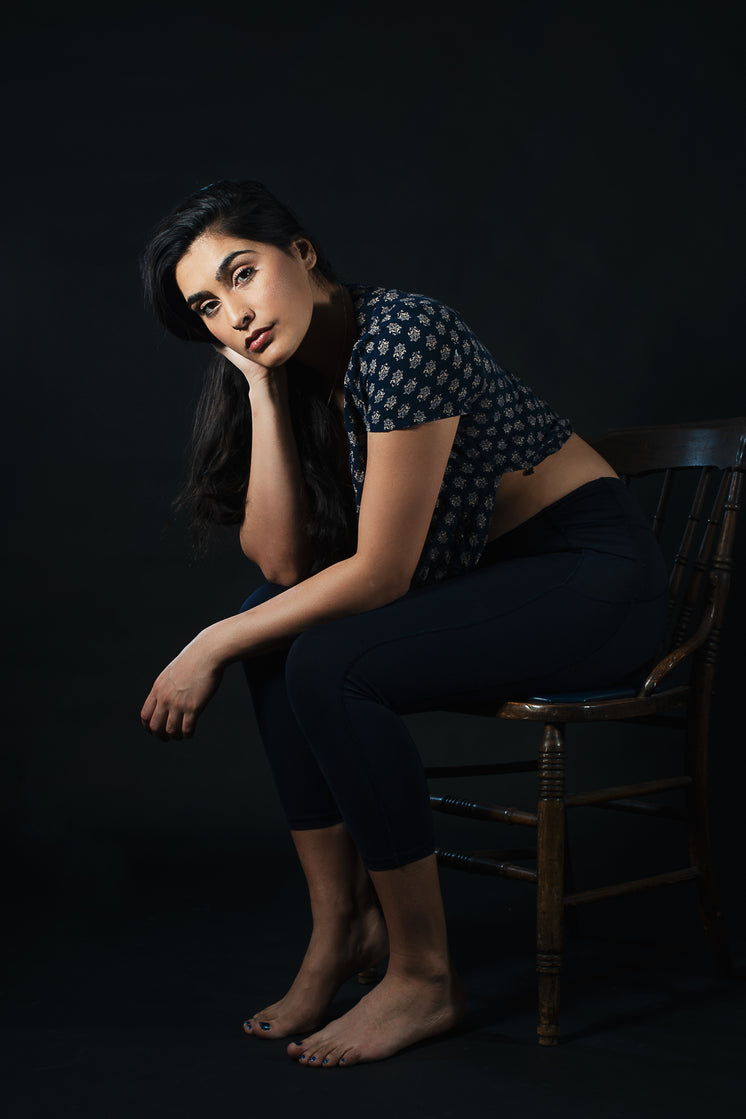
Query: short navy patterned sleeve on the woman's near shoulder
{"x": 420, "y": 365}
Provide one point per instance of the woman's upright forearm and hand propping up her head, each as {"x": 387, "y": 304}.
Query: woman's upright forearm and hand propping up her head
{"x": 272, "y": 533}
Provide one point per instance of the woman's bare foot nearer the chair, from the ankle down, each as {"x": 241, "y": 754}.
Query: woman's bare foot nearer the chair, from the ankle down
{"x": 403, "y": 1010}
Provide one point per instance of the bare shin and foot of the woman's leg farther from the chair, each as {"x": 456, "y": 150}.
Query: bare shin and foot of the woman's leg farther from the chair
{"x": 348, "y": 936}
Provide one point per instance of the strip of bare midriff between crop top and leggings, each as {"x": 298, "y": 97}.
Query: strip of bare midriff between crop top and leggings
{"x": 522, "y": 495}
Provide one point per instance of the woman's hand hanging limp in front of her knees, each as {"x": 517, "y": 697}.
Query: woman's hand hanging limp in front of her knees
{"x": 182, "y": 692}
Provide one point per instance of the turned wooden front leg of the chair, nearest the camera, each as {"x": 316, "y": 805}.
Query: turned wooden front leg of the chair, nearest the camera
{"x": 551, "y": 863}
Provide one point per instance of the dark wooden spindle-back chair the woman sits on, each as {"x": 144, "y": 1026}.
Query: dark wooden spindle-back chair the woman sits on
{"x": 711, "y": 458}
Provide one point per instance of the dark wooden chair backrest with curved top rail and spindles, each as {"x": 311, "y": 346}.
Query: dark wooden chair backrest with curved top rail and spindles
{"x": 707, "y": 460}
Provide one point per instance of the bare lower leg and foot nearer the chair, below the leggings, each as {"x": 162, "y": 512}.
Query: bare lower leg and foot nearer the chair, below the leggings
{"x": 421, "y": 994}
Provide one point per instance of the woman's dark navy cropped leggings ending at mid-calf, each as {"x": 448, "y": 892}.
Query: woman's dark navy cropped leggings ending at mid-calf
{"x": 574, "y": 598}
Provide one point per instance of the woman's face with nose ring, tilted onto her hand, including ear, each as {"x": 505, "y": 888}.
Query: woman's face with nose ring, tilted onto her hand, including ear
{"x": 257, "y": 299}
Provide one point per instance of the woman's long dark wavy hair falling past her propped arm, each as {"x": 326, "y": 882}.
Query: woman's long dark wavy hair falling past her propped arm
{"x": 220, "y": 452}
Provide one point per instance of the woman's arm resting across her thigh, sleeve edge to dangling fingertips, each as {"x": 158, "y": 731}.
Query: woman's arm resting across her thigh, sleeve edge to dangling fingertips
{"x": 404, "y": 474}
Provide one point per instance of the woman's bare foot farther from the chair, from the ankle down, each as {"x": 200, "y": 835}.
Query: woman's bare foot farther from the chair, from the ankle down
{"x": 333, "y": 957}
